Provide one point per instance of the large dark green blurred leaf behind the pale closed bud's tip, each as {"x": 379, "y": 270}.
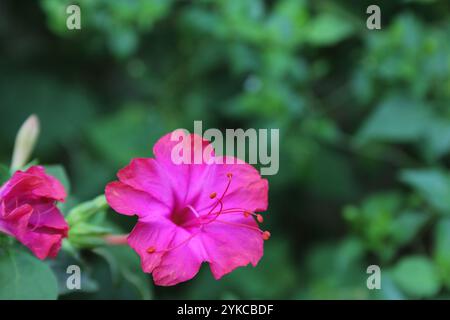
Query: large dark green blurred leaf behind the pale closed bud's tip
{"x": 45, "y": 96}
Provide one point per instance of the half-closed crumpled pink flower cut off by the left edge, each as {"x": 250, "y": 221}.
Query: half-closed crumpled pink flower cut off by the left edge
{"x": 28, "y": 211}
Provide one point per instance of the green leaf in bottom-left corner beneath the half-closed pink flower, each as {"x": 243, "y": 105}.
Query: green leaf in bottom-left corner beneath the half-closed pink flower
{"x": 23, "y": 276}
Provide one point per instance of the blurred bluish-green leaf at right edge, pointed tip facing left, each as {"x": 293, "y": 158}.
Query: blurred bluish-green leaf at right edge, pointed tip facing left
{"x": 432, "y": 184}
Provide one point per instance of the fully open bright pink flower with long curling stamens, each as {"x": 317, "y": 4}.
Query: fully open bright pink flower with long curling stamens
{"x": 191, "y": 213}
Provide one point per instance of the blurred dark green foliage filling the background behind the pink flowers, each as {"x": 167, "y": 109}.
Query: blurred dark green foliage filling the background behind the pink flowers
{"x": 364, "y": 122}
